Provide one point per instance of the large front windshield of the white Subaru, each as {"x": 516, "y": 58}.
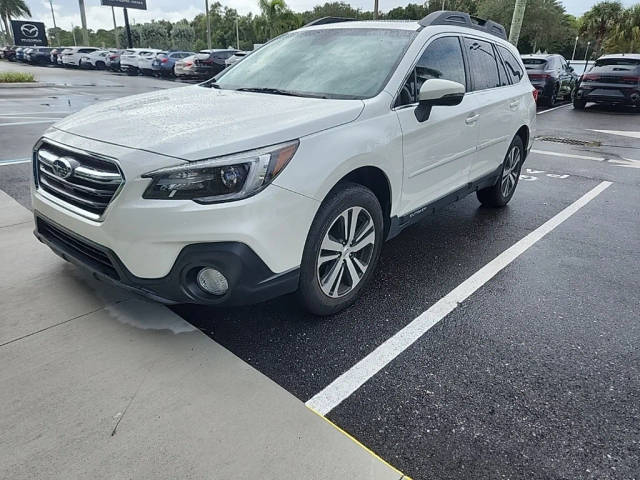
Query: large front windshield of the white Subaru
{"x": 333, "y": 63}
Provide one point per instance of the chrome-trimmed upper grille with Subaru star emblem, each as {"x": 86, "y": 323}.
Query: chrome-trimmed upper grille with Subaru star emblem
{"x": 84, "y": 182}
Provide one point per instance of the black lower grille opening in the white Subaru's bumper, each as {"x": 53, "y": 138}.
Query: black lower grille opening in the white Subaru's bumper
{"x": 77, "y": 247}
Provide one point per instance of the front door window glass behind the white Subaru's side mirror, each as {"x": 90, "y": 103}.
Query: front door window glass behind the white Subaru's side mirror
{"x": 441, "y": 59}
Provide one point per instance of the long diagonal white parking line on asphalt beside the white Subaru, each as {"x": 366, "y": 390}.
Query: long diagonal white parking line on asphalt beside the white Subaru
{"x": 347, "y": 383}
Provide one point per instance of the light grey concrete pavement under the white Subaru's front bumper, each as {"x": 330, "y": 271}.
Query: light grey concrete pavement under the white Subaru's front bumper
{"x": 97, "y": 383}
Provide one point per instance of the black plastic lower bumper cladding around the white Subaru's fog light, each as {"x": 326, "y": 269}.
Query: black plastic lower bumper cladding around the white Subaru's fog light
{"x": 250, "y": 280}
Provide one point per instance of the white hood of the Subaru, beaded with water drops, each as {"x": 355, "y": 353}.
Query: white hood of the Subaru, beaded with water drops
{"x": 194, "y": 122}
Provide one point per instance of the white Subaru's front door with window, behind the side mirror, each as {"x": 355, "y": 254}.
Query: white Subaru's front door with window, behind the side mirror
{"x": 437, "y": 152}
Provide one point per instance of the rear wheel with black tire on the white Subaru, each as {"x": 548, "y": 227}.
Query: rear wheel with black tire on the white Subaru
{"x": 499, "y": 194}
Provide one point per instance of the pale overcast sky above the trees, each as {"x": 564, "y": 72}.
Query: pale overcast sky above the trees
{"x": 67, "y": 12}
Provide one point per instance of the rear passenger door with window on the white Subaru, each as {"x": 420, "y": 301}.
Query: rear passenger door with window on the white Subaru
{"x": 496, "y": 104}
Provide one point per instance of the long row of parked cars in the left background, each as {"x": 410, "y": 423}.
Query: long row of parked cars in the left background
{"x": 134, "y": 61}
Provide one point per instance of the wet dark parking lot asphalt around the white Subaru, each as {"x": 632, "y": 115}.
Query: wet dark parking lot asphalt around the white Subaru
{"x": 536, "y": 374}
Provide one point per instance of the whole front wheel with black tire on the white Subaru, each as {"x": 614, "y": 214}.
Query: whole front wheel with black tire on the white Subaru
{"x": 327, "y": 287}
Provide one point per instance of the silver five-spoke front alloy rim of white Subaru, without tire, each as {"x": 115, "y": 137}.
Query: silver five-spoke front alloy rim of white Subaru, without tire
{"x": 346, "y": 252}
